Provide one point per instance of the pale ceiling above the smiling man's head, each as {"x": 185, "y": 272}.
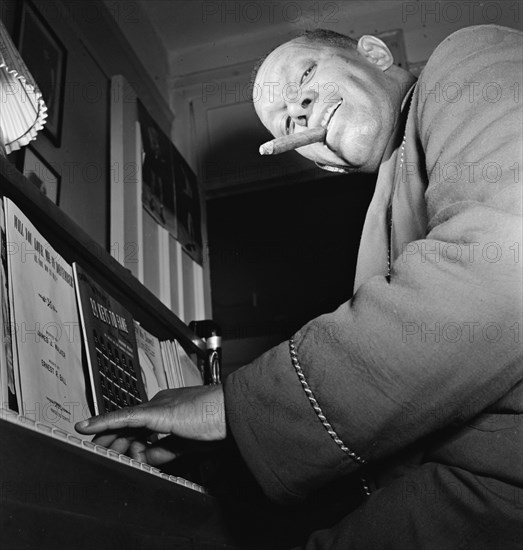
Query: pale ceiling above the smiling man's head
{"x": 174, "y": 38}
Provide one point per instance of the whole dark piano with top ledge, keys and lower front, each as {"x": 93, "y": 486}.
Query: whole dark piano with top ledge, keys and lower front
{"x": 59, "y": 491}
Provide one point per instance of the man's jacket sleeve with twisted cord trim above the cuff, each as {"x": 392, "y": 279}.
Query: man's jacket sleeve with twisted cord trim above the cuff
{"x": 439, "y": 341}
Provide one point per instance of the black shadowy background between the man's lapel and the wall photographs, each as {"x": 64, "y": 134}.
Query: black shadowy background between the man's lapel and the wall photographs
{"x": 283, "y": 256}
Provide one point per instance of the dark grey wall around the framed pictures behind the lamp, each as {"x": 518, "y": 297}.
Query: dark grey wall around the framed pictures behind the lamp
{"x": 81, "y": 157}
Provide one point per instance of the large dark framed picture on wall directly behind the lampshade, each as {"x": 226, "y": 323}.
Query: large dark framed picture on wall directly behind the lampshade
{"x": 46, "y": 58}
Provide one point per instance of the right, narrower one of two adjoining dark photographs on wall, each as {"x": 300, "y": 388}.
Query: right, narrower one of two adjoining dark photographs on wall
{"x": 189, "y": 211}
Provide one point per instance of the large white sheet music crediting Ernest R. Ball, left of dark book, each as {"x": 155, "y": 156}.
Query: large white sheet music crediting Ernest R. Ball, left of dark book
{"x": 46, "y": 344}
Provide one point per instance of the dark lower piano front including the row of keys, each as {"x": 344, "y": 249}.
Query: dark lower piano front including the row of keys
{"x": 58, "y": 491}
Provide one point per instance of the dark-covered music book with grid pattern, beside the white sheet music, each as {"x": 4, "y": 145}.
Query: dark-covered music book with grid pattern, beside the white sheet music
{"x": 110, "y": 344}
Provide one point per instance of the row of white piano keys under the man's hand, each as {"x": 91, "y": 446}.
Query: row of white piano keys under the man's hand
{"x": 30, "y": 424}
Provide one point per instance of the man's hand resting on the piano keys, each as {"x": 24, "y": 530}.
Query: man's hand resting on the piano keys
{"x": 195, "y": 413}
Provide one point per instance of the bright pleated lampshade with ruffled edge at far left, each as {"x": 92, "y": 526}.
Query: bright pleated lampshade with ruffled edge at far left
{"x": 22, "y": 109}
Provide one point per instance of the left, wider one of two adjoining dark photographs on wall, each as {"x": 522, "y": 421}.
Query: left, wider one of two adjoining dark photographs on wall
{"x": 158, "y": 189}
